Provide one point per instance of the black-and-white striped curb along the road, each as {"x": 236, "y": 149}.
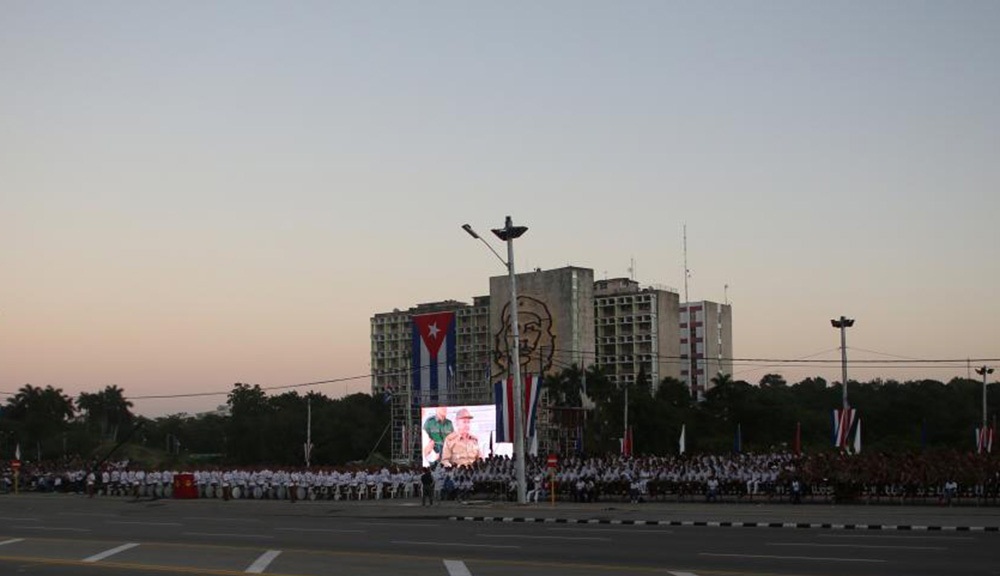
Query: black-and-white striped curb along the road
{"x": 800, "y": 525}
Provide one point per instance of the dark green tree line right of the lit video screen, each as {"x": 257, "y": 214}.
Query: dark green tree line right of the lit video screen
{"x": 895, "y": 416}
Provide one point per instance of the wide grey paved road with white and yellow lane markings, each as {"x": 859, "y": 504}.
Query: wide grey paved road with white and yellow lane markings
{"x": 71, "y": 535}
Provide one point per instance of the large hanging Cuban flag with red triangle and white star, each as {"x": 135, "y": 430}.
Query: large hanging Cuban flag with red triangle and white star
{"x": 434, "y": 357}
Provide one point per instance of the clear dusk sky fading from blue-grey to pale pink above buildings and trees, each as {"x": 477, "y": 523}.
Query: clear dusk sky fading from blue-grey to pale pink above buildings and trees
{"x": 194, "y": 194}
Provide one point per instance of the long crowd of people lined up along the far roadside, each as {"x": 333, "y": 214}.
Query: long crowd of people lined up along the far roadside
{"x": 831, "y": 476}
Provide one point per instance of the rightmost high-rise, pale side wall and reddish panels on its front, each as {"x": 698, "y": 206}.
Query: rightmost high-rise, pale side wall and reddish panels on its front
{"x": 706, "y": 341}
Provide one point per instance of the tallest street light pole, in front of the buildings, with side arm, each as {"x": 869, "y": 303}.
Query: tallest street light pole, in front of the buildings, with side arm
{"x": 508, "y": 233}
